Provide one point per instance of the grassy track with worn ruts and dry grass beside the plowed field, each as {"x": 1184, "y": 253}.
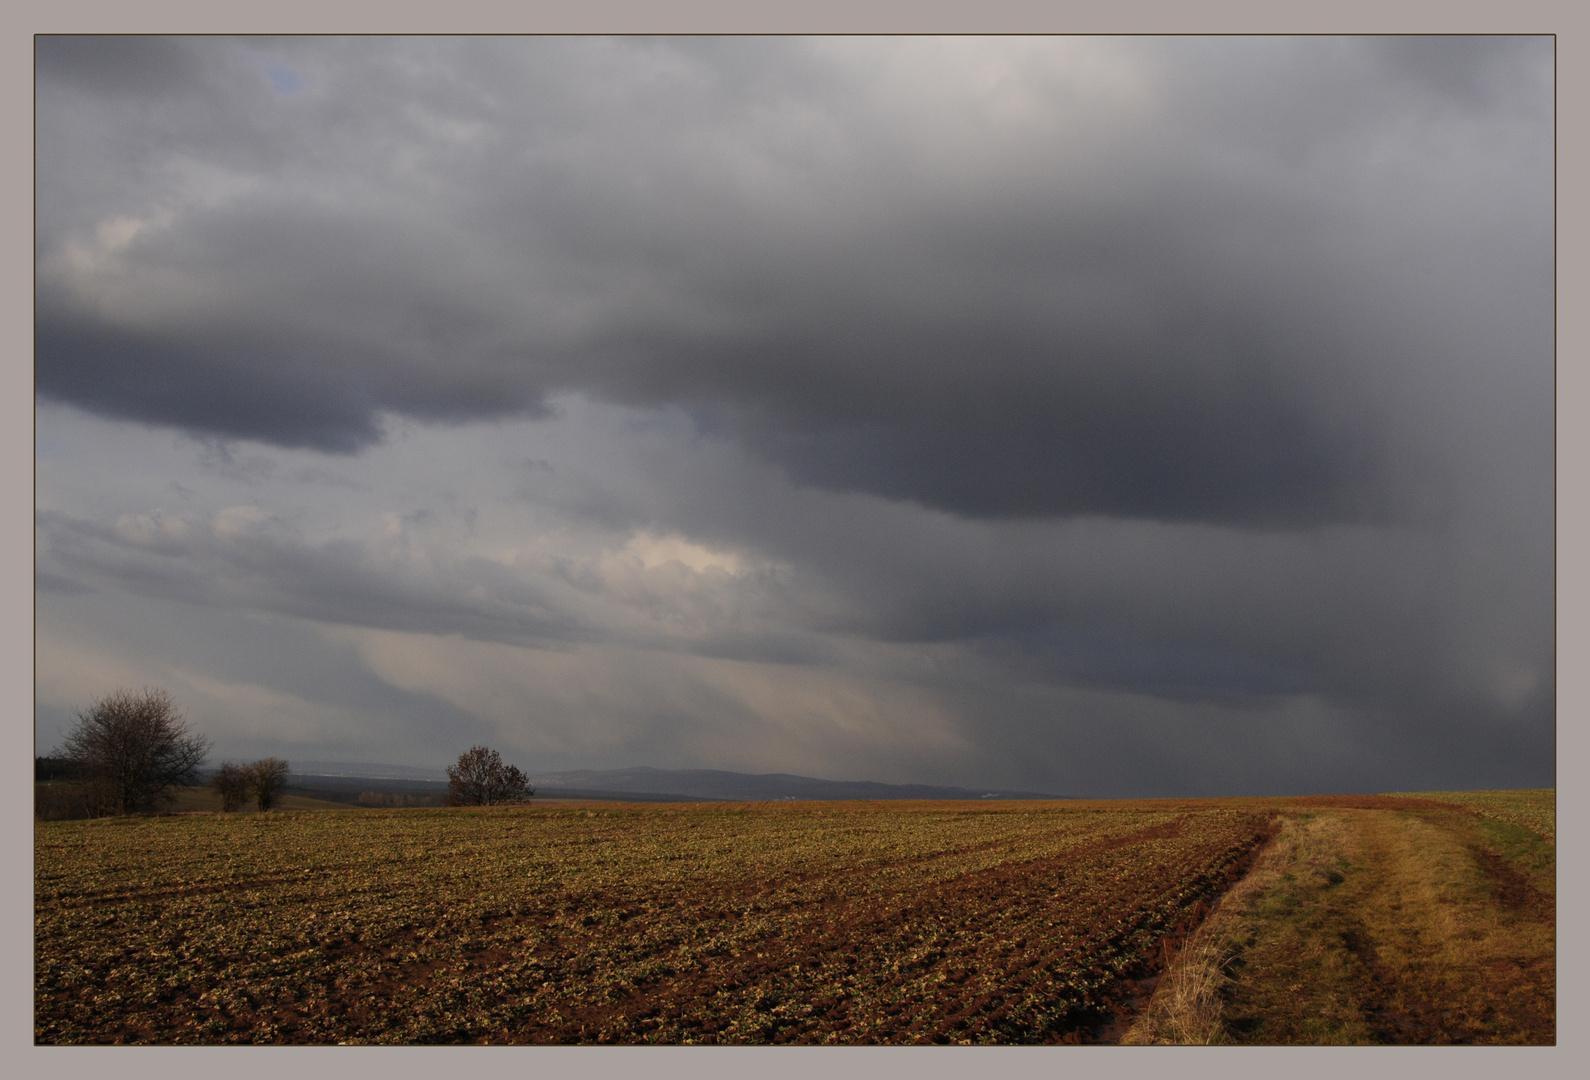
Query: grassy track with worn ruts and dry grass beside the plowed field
{"x": 1373, "y": 927}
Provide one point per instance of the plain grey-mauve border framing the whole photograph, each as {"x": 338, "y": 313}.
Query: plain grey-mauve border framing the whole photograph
{"x": 1567, "y": 20}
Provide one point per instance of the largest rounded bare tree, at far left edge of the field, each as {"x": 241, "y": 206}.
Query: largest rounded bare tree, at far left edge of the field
{"x": 133, "y": 752}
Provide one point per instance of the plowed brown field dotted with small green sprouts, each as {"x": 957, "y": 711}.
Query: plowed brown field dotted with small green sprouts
{"x": 770, "y": 923}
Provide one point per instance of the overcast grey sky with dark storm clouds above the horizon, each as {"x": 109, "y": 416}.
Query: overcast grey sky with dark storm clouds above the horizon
{"x": 1103, "y": 416}
